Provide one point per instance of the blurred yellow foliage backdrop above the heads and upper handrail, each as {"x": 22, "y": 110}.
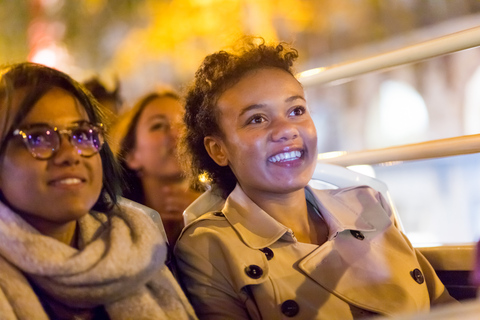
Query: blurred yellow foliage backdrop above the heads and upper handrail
{"x": 143, "y": 42}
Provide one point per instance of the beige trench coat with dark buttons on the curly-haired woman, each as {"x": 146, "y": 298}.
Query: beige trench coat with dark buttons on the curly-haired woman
{"x": 242, "y": 264}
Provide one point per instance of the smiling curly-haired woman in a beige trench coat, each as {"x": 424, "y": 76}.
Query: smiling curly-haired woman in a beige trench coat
{"x": 278, "y": 248}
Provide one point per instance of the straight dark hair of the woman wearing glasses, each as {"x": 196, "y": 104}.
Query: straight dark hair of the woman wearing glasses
{"x": 37, "y": 80}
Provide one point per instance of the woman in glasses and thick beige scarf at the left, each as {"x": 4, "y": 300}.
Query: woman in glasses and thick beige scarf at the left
{"x": 69, "y": 248}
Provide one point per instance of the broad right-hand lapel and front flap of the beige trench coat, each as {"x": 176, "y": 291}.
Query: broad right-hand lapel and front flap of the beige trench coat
{"x": 372, "y": 273}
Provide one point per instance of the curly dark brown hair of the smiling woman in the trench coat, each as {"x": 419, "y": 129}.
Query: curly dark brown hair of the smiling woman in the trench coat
{"x": 219, "y": 72}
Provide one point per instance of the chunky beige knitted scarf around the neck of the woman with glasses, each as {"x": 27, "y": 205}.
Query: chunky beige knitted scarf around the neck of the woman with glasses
{"x": 120, "y": 265}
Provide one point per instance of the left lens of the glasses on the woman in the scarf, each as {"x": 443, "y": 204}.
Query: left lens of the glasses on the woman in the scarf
{"x": 42, "y": 142}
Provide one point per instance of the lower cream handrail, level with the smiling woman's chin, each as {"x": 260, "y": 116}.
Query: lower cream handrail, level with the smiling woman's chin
{"x": 416, "y": 151}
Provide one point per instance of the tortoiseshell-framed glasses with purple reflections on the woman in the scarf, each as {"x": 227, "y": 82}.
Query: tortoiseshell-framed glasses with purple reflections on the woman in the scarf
{"x": 43, "y": 141}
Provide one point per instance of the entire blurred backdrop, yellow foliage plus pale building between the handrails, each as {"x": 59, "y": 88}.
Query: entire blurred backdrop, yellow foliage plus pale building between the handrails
{"x": 144, "y": 43}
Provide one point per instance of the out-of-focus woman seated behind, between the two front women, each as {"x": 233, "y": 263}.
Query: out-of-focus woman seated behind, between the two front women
{"x": 146, "y": 141}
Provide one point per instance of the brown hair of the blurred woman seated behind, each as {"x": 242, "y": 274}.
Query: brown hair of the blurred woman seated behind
{"x": 124, "y": 134}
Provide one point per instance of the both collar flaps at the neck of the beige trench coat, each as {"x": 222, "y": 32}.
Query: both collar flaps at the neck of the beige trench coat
{"x": 258, "y": 229}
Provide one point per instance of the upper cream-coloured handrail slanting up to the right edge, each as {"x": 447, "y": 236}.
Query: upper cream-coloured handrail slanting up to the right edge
{"x": 454, "y": 42}
